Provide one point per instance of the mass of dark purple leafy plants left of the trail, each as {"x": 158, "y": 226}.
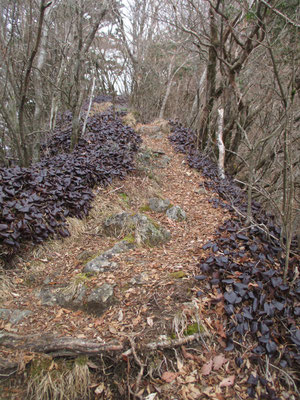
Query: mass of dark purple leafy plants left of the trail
{"x": 34, "y": 202}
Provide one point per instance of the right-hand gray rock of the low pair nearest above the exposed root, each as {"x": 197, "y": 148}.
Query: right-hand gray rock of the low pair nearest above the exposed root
{"x": 100, "y": 299}
